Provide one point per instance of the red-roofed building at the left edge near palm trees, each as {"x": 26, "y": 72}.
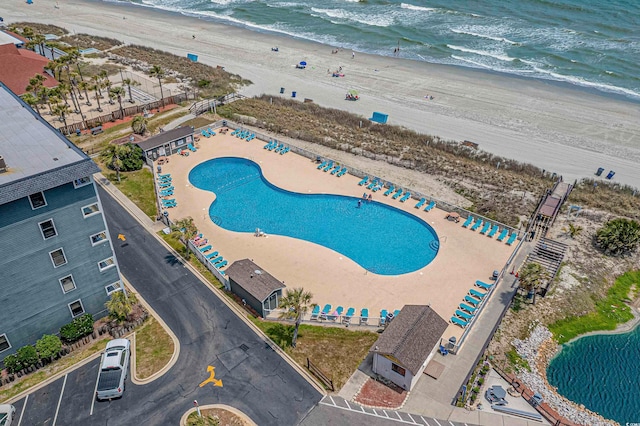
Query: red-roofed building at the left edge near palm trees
{"x": 18, "y": 66}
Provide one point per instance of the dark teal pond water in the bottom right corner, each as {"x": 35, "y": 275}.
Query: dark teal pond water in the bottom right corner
{"x": 601, "y": 372}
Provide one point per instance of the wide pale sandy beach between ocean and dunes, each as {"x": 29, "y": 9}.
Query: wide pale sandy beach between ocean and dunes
{"x": 556, "y": 127}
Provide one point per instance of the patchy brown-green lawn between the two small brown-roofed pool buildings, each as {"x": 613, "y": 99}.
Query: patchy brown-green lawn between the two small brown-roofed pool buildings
{"x": 337, "y": 351}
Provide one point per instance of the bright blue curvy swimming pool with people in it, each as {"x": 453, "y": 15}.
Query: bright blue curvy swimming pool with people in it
{"x": 382, "y": 239}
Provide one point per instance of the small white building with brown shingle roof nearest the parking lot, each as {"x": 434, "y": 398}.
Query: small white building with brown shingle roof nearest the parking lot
{"x": 406, "y": 346}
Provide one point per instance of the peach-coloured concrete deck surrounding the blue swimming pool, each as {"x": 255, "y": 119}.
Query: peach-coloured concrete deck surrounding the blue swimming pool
{"x": 464, "y": 256}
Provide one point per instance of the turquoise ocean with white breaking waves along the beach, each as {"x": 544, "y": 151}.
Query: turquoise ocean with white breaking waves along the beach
{"x": 589, "y": 43}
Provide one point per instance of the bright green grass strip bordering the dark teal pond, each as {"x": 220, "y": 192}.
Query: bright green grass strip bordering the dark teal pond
{"x": 610, "y": 311}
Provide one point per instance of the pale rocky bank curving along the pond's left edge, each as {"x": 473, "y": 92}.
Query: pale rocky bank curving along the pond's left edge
{"x": 538, "y": 349}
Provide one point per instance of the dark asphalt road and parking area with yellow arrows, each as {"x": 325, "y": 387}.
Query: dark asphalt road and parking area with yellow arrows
{"x": 255, "y": 379}
